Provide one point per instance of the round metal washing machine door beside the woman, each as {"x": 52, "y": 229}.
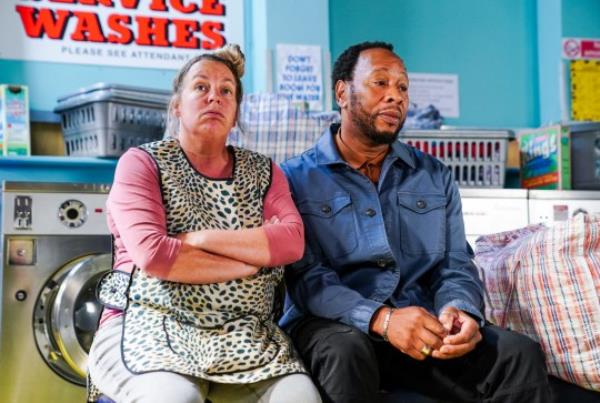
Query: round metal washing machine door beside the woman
{"x": 66, "y": 315}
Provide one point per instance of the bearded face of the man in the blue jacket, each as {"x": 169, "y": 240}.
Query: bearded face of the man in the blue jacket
{"x": 379, "y": 95}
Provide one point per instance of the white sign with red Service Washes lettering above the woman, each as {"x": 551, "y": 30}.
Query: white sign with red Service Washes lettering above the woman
{"x": 133, "y": 33}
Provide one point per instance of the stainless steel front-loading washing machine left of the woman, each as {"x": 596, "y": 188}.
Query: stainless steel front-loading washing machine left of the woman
{"x": 55, "y": 247}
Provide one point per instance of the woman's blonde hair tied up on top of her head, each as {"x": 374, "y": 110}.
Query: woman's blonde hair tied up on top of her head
{"x": 231, "y": 56}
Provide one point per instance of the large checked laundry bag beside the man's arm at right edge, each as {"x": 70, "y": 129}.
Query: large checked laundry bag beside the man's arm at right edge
{"x": 545, "y": 283}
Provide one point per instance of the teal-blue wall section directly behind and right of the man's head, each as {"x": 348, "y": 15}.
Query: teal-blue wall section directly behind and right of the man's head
{"x": 489, "y": 44}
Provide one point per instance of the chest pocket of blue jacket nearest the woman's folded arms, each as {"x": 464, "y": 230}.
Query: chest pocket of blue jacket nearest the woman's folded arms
{"x": 331, "y": 220}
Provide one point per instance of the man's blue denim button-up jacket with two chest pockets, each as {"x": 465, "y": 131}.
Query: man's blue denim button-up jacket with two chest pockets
{"x": 399, "y": 242}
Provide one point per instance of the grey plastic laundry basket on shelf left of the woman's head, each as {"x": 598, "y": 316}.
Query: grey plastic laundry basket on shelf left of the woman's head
{"x": 104, "y": 120}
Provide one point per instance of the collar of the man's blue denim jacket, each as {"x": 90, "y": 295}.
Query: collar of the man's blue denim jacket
{"x": 328, "y": 154}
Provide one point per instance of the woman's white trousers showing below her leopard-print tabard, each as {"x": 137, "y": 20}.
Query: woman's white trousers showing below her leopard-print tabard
{"x": 108, "y": 372}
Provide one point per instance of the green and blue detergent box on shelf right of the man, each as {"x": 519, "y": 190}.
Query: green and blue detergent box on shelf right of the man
{"x": 545, "y": 158}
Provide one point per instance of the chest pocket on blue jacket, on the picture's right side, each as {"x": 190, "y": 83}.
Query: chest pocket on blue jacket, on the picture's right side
{"x": 422, "y": 222}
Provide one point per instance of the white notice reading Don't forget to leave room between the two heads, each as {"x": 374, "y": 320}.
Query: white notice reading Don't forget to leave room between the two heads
{"x": 299, "y": 74}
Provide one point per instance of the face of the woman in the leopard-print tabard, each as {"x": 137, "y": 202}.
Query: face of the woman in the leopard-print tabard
{"x": 207, "y": 104}
